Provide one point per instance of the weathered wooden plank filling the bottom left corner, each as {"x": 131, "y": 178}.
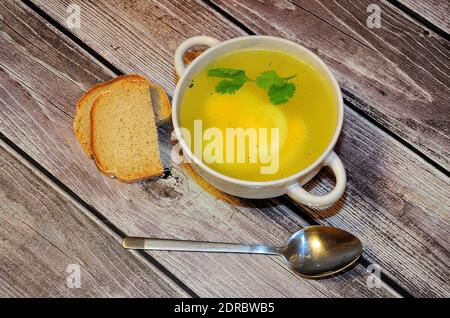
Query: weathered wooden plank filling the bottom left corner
{"x": 43, "y": 232}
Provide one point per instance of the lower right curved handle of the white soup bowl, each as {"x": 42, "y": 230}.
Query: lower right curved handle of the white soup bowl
{"x": 300, "y": 195}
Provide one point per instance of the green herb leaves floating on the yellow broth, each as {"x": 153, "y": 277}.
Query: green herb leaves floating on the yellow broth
{"x": 278, "y": 88}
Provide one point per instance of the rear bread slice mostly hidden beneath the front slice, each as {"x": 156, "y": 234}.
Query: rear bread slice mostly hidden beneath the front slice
{"x": 82, "y": 123}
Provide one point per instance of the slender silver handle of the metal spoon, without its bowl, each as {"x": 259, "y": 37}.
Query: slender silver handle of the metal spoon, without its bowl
{"x": 142, "y": 243}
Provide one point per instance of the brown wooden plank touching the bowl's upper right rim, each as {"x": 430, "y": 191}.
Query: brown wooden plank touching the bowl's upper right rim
{"x": 399, "y": 74}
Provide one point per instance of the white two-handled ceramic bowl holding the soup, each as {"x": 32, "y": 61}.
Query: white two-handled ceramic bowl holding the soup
{"x": 292, "y": 185}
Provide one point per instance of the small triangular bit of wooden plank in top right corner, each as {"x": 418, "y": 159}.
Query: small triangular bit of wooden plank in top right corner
{"x": 435, "y": 11}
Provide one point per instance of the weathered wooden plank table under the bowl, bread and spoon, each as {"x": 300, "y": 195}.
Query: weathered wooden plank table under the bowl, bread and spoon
{"x": 58, "y": 214}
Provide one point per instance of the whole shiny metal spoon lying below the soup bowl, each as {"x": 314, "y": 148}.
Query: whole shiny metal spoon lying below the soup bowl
{"x": 315, "y": 251}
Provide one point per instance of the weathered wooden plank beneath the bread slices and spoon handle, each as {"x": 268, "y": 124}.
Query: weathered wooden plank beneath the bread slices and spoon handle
{"x": 41, "y": 77}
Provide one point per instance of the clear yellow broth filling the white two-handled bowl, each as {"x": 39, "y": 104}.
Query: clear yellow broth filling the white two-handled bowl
{"x": 306, "y": 123}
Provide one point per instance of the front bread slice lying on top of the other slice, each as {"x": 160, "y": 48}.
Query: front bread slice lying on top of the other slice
{"x": 124, "y": 139}
